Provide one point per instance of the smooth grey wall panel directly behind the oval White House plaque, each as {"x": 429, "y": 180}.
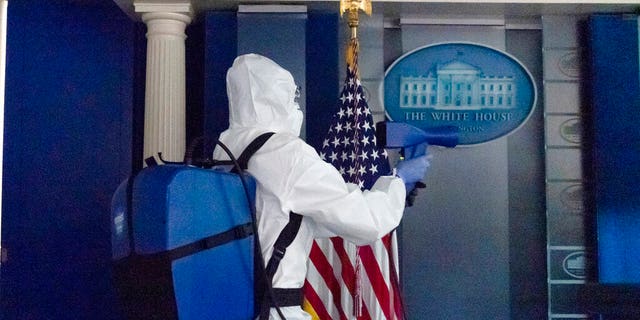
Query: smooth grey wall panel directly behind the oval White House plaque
{"x": 455, "y": 247}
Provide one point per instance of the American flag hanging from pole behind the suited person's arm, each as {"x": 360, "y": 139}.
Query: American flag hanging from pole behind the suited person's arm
{"x": 345, "y": 281}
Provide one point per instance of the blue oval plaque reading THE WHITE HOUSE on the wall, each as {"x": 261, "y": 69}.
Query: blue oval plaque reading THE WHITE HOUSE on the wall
{"x": 485, "y": 92}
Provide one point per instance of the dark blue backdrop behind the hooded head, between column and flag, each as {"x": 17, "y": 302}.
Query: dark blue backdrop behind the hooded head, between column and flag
{"x": 320, "y": 77}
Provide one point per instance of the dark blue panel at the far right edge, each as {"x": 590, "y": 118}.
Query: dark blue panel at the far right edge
{"x": 616, "y": 148}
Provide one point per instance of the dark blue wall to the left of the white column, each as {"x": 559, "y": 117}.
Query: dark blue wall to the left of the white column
{"x": 68, "y": 115}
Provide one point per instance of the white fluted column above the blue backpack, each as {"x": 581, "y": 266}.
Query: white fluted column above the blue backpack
{"x": 164, "y": 119}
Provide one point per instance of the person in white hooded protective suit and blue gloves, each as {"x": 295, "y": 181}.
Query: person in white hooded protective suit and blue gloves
{"x": 291, "y": 176}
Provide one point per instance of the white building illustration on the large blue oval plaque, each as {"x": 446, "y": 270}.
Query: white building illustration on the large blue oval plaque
{"x": 457, "y": 85}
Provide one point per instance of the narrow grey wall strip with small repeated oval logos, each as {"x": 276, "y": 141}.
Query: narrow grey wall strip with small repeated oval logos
{"x": 569, "y": 253}
